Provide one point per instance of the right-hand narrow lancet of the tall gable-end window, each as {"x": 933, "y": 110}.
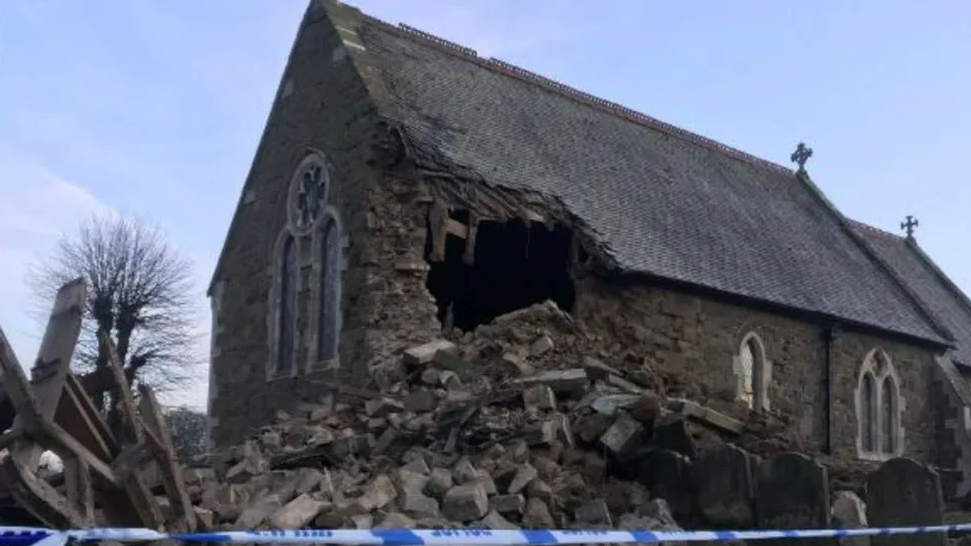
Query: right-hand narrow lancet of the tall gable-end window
{"x": 328, "y": 320}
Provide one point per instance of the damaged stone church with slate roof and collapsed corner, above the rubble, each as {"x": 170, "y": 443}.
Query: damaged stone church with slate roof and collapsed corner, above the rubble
{"x": 404, "y": 185}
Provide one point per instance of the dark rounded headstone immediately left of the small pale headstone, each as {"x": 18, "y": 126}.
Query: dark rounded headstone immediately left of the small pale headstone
{"x": 792, "y": 492}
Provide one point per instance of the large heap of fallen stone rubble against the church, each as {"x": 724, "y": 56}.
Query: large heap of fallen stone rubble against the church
{"x": 498, "y": 429}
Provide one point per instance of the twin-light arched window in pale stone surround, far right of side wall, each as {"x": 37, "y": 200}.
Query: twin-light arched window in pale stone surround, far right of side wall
{"x": 880, "y": 435}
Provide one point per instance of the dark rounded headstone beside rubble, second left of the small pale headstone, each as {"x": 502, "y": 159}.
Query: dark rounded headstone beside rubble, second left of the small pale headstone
{"x": 724, "y": 488}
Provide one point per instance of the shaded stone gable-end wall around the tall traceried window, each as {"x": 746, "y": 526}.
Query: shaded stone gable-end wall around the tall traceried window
{"x": 321, "y": 106}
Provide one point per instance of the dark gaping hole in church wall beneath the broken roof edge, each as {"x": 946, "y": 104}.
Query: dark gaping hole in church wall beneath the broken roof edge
{"x": 517, "y": 264}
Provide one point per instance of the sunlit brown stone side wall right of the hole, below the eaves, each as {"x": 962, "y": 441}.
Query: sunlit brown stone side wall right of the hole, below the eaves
{"x": 688, "y": 342}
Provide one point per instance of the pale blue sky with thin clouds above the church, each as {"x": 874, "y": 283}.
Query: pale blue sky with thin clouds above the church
{"x": 154, "y": 108}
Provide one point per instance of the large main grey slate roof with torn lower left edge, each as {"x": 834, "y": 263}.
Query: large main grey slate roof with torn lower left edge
{"x": 662, "y": 201}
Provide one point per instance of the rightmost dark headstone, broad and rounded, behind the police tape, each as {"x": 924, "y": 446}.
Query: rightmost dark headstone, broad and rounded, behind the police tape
{"x": 905, "y": 493}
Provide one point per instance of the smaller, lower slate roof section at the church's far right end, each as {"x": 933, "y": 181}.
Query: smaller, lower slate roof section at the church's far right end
{"x": 938, "y": 294}
